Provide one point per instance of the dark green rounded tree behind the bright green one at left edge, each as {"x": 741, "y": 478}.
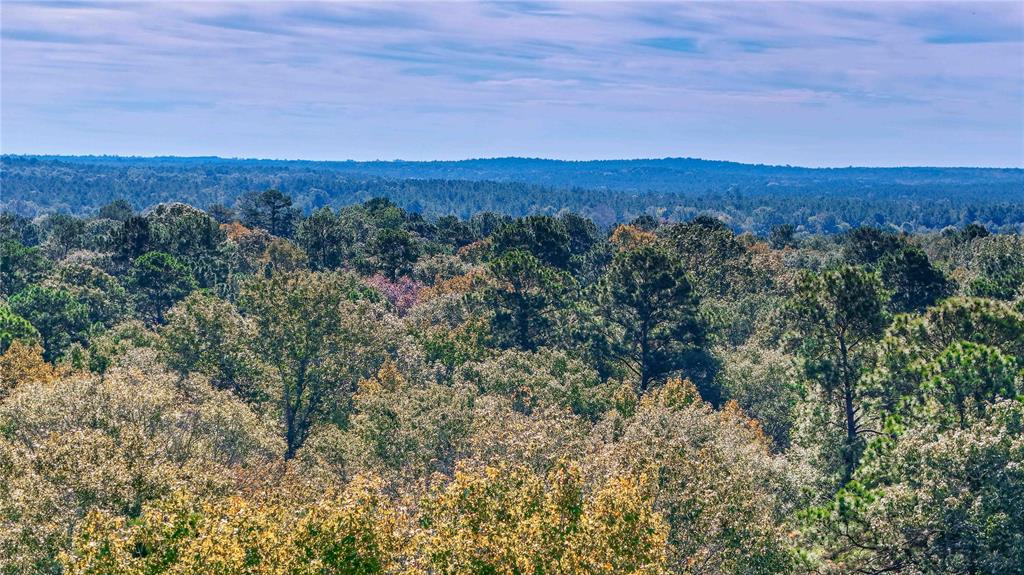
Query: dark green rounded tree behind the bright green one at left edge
{"x": 59, "y": 317}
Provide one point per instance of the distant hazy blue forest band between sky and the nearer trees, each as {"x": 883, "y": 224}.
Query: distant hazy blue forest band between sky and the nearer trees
{"x": 747, "y": 198}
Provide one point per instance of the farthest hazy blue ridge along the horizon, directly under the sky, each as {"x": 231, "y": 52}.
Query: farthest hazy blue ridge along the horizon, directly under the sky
{"x": 669, "y": 175}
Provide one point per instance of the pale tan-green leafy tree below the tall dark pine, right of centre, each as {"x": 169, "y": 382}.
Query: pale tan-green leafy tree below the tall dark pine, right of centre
{"x": 719, "y": 490}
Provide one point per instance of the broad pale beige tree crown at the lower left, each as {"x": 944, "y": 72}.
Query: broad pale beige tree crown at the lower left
{"x": 111, "y": 445}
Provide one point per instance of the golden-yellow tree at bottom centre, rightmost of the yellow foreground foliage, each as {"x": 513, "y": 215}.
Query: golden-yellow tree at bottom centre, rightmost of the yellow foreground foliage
{"x": 509, "y": 520}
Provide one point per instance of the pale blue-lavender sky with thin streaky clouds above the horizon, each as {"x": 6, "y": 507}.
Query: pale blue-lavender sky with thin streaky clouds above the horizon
{"x": 809, "y": 84}
